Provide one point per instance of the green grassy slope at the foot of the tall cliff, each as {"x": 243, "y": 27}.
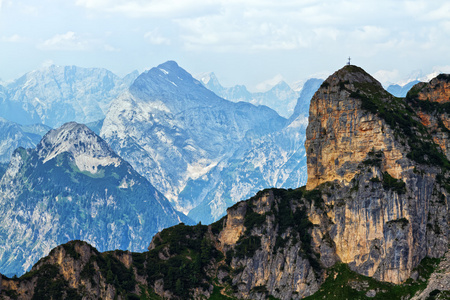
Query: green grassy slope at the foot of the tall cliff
{"x": 342, "y": 283}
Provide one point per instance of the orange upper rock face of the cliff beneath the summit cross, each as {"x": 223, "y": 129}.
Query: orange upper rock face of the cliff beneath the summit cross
{"x": 344, "y": 127}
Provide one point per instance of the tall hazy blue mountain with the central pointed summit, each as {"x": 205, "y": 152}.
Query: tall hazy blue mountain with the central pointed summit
{"x": 189, "y": 129}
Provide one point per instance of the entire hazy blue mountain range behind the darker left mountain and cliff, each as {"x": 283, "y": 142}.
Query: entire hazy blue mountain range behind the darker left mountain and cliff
{"x": 188, "y": 142}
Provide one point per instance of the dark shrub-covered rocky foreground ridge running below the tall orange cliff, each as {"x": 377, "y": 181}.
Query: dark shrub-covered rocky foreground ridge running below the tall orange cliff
{"x": 278, "y": 243}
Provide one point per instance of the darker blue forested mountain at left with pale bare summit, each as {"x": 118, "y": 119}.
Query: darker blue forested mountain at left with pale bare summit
{"x": 73, "y": 186}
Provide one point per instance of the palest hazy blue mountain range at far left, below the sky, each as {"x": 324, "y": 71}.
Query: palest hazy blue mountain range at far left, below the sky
{"x": 56, "y": 95}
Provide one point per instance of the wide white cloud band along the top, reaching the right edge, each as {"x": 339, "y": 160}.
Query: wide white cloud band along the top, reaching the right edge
{"x": 269, "y": 25}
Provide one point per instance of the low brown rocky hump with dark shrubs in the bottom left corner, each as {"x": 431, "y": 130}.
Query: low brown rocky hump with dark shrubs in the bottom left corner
{"x": 75, "y": 270}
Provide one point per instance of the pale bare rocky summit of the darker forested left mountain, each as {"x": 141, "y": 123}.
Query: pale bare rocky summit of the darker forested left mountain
{"x": 88, "y": 149}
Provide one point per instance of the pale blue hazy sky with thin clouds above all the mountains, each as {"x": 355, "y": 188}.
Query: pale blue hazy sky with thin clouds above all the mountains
{"x": 250, "y": 42}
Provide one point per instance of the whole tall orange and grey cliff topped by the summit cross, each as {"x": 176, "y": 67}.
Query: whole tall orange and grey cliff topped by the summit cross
{"x": 388, "y": 203}
